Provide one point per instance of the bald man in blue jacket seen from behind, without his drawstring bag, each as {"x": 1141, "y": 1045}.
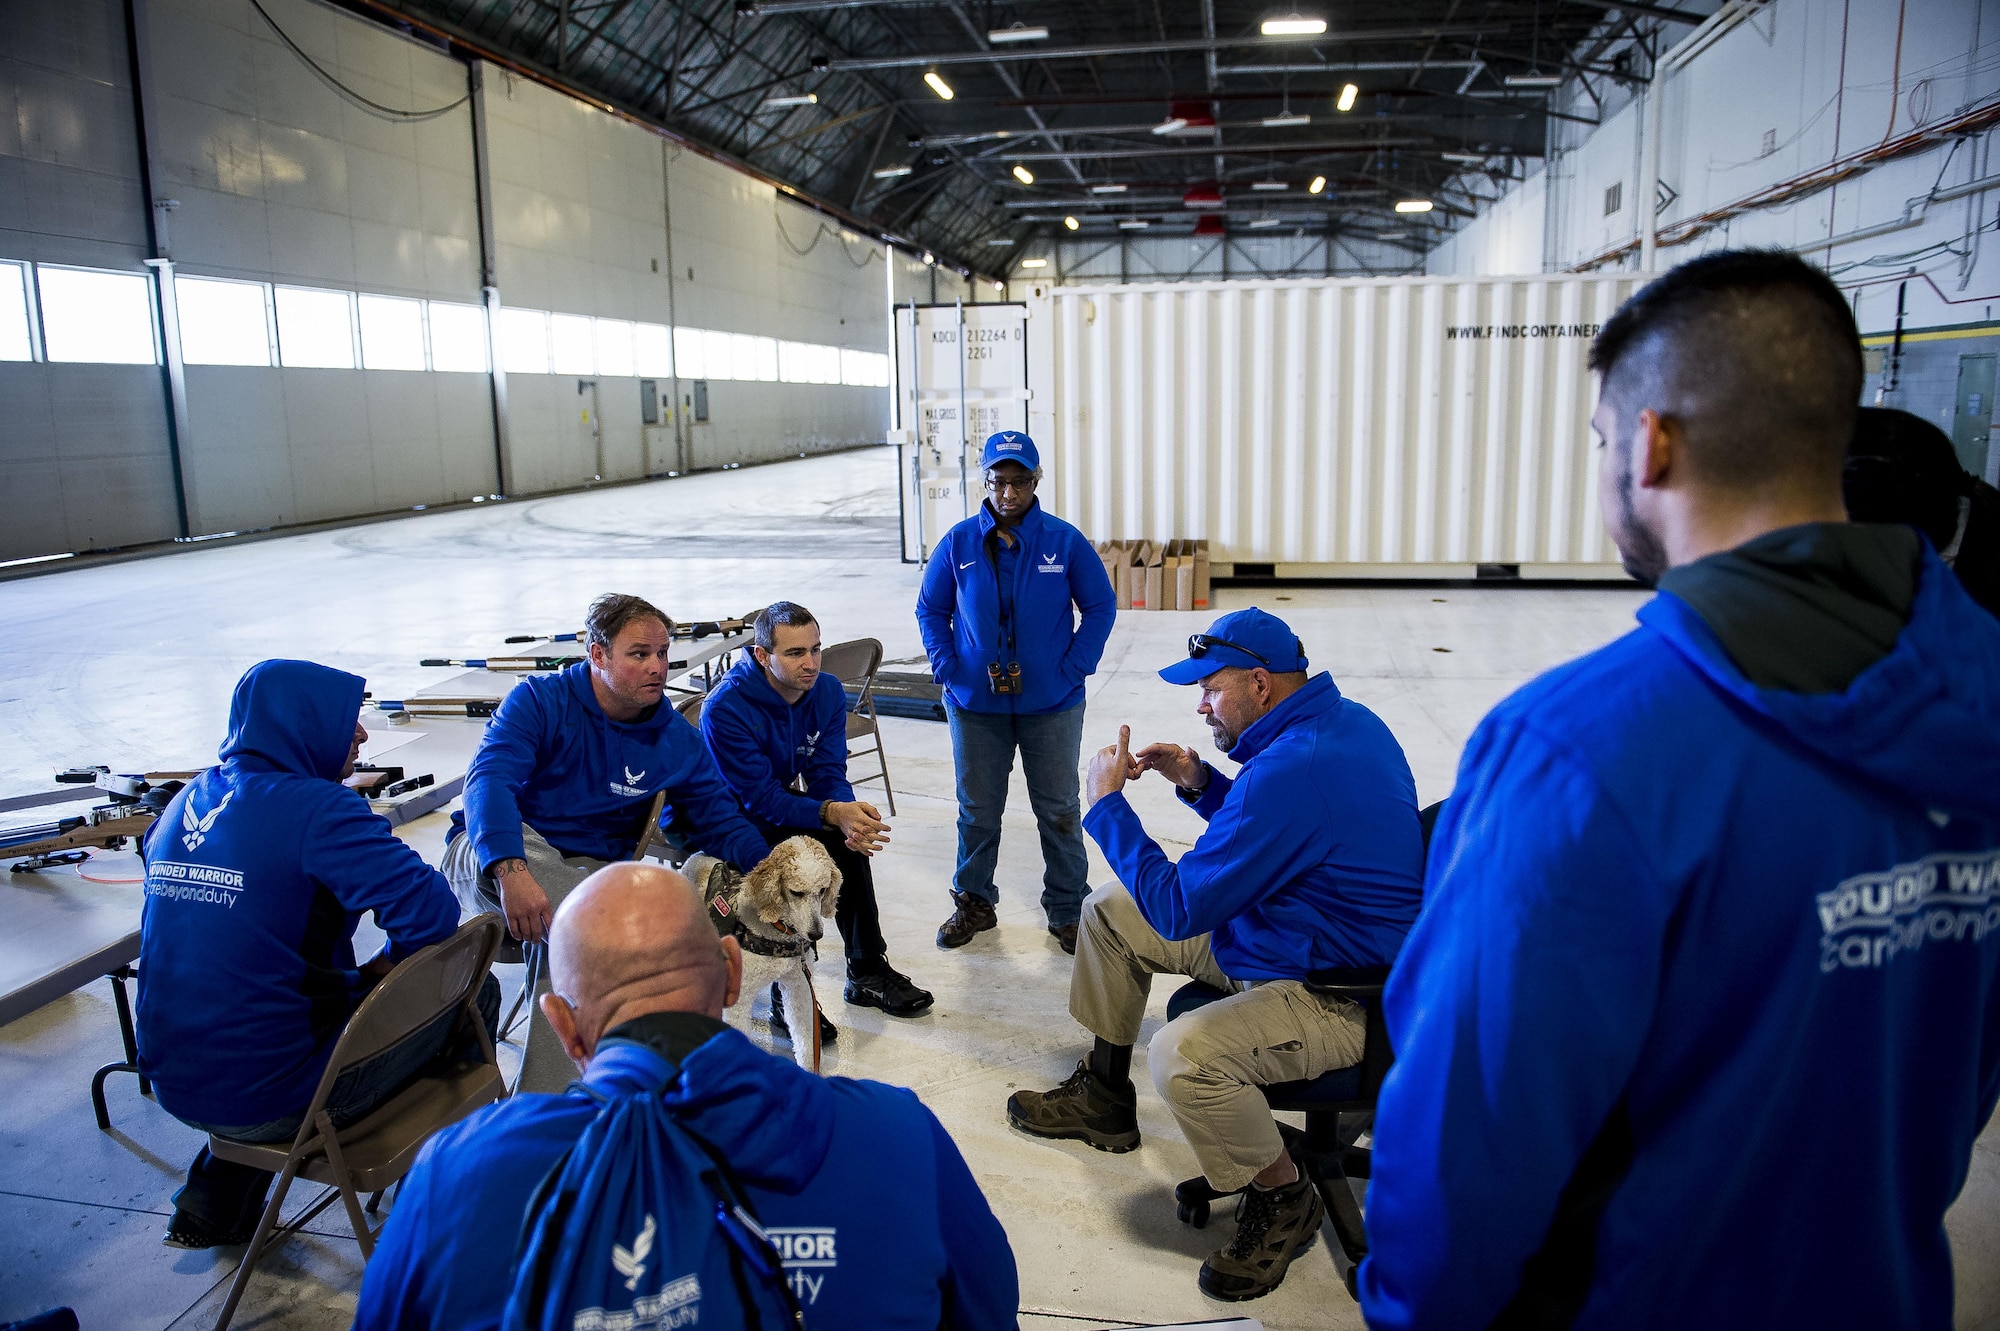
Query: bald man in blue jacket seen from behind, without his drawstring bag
{"x": 867, "y": 1198}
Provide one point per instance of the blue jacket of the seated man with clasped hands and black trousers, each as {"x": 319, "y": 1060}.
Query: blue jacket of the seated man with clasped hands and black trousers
{"x": 763, "y": 744}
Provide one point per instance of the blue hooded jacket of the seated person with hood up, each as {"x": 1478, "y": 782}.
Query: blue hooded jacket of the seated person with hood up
{"x": 255, "y": 880}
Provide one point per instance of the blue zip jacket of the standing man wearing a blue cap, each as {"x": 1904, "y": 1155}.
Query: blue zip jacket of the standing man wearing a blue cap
{"x": 959, "y": 615}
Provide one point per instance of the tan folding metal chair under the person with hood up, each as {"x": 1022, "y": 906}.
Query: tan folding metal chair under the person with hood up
{"x": 379, "y": 1150}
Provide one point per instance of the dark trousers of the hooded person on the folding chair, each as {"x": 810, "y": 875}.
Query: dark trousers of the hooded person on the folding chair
{"x": 229, "y": 1196}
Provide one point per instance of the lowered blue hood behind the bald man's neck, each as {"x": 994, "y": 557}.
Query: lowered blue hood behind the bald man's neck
{"x": 771, "y": 1120}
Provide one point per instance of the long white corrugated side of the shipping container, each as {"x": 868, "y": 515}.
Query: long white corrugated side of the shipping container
{"x": 1355, "y": 425}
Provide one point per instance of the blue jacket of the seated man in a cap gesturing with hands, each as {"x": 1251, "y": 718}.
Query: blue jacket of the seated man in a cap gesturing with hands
{"x": 1313, "y": 856}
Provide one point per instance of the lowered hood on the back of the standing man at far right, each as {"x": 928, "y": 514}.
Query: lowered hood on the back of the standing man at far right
{"x": 1923, "y": 722}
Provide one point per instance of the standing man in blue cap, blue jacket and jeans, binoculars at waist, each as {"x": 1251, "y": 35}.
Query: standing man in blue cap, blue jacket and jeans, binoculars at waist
{"x": 1015, "y": 613}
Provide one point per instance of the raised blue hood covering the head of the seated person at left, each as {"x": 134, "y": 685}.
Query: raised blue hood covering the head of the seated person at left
{"x": 295, "y": 716}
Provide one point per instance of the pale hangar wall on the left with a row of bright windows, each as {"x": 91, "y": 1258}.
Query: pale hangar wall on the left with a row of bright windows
{"x": 285, "y": 185}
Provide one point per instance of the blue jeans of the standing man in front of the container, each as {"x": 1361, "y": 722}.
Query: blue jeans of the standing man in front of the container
{"x": 983, "y": 752}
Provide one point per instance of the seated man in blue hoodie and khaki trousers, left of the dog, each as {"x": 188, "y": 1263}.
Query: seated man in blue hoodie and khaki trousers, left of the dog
{"x": 563, "y": 782}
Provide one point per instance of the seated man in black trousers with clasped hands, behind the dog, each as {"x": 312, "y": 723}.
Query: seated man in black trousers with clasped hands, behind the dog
{"x": 779, "y": 732}
